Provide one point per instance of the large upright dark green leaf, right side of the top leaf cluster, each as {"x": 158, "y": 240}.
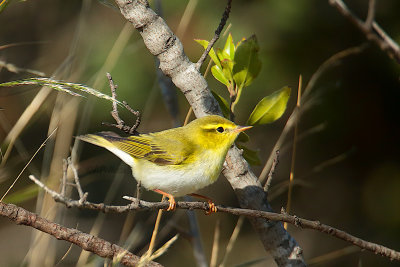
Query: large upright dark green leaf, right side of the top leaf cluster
{"x": 247, "y": 64}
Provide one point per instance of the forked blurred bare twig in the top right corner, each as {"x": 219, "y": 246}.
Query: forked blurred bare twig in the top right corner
{"x": 375, "y": 33}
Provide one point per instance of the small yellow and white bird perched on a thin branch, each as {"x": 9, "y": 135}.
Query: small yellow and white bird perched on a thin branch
{"x": 177, "y": 161}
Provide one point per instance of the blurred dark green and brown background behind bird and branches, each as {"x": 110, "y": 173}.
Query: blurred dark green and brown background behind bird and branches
{"x": 347, "y": 171}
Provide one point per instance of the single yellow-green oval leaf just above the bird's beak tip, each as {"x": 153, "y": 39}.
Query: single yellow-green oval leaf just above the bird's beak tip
{"x": 270, "y": 108}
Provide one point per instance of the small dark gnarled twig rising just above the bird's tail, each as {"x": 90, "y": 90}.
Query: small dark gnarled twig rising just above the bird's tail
{"x": 114, "y": 113}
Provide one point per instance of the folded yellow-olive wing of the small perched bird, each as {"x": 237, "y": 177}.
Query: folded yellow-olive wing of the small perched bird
{"x": 167, "y": 151}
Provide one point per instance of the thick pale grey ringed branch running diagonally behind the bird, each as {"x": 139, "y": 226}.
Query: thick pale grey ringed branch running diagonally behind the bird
{"x": 161, "y": 42}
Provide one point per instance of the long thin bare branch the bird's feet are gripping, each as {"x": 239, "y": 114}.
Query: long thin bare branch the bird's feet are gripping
{"x": 270, "y": 216}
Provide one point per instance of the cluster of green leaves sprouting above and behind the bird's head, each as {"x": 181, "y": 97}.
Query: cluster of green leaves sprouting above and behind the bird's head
{"x": 236, "y": 67}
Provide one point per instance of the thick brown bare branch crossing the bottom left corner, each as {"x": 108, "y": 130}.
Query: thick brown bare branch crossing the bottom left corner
{"x": 87, "y": 242}
